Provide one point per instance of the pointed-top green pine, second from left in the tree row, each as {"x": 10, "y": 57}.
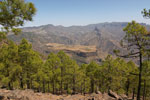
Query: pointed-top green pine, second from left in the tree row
{"x": 30, "y": 61}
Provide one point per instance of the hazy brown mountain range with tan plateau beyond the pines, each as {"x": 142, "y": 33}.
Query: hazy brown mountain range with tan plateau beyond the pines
{"x": 83, "y": 43}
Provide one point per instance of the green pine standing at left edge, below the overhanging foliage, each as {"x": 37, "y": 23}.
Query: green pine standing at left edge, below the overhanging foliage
{"x": 11, "y": 68}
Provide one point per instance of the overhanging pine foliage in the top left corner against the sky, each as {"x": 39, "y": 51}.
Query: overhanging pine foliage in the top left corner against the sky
{"x": 14, "y": 13}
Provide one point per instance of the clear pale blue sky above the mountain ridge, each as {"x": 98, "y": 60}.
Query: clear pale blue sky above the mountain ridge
{"x": 84, "y": 12}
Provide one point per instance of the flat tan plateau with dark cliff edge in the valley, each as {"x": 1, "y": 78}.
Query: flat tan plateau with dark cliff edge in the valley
{"x": 80, "y": 53}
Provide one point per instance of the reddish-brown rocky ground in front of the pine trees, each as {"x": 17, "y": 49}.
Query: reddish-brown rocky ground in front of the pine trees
{"x": 31, "y": 95}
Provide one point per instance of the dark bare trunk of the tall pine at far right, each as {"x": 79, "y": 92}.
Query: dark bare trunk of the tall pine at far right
{"x": 140, "y": 78}
